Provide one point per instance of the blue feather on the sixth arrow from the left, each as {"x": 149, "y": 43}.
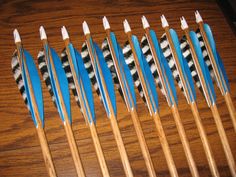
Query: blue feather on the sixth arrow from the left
{"x": 148, "y": 77}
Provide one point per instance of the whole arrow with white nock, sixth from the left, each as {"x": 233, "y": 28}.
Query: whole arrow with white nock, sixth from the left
{"x": 148, "y": 89}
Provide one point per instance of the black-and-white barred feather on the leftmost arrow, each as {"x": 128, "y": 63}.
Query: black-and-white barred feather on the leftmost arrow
{"x": 18, "y": 77}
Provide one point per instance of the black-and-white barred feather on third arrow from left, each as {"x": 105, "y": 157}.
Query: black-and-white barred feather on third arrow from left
{"x": 69, "y": 76}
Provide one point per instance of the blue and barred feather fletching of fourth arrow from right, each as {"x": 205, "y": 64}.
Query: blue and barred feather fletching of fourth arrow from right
{"x": 165, "y": 70}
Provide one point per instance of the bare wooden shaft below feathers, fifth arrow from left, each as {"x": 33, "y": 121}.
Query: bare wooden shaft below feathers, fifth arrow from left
{"x": 143, "y": 144}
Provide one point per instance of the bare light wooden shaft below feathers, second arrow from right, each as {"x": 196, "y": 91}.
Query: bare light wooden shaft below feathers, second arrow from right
{"x": 224, "y": 140}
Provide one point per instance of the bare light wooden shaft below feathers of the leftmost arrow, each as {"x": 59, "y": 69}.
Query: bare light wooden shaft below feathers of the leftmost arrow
{"x": 46, "y": 153}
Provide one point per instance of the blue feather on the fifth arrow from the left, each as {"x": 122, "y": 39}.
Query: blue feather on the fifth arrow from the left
{"x": 126, "y": 76}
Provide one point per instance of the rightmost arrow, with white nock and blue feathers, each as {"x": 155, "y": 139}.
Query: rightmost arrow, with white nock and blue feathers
{"x": 217, "y": 64}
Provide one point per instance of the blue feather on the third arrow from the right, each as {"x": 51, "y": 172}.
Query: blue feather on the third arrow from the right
{"x": 184, "y": 66}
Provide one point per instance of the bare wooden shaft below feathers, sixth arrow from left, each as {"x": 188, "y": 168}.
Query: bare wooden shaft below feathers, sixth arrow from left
{"x": 165, "y": 146}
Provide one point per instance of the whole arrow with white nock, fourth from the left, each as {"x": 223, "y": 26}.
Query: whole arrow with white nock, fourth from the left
{"x": 103, "y": 83}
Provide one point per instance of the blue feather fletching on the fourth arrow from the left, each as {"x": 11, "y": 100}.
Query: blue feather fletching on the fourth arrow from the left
{"x": 106, "y": 75}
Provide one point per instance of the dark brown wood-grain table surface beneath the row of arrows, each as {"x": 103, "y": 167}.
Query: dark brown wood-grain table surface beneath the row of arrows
{"x": 20, "y": 153}
